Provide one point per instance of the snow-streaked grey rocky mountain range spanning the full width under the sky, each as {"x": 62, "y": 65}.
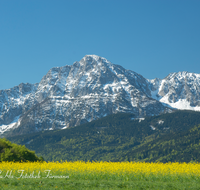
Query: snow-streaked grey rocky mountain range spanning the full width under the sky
{"x": 87, "y": 90}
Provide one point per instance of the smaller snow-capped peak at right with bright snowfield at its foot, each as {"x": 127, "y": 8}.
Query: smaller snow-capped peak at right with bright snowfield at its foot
{"x": 179, "y": 90}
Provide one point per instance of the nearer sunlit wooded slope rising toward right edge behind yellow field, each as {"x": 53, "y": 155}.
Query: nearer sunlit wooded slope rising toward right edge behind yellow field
{"x": 182, "y": 146}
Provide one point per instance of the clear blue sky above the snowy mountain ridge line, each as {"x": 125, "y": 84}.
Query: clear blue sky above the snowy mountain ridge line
{"x": 150, "y": 37}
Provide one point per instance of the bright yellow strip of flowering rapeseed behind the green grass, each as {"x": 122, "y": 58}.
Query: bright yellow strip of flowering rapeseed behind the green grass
{"x": 102, "y": 168}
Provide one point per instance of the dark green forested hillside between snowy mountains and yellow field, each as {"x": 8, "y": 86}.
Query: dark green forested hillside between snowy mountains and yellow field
{"x": 118, "y": 137}
